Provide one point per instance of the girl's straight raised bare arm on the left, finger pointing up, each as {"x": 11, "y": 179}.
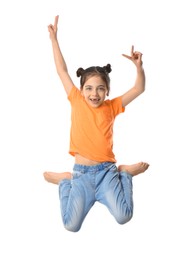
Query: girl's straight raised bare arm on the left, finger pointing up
{"x": 60, "y": 63}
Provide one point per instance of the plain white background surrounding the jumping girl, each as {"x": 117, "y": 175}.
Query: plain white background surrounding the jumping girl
{"x": 158, "y": 127}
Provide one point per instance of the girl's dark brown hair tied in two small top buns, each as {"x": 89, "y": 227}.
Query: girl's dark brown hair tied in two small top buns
{"x": 102, "y": 72}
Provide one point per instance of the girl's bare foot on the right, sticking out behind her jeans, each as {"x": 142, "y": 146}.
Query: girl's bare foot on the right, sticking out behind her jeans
{"x": 134, "y": 169}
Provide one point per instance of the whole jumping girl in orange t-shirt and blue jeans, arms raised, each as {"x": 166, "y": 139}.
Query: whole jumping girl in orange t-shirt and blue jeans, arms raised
{"x": 95, "y": 176}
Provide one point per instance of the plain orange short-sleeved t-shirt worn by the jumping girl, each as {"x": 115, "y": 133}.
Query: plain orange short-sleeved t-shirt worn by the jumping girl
{"x": 92, "y": 128}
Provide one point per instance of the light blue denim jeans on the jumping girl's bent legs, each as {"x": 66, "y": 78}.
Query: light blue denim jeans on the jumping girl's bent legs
{"x": 102, "y": 183}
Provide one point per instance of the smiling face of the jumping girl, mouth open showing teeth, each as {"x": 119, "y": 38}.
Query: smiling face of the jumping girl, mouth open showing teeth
{"x": 94, "y": 91}
